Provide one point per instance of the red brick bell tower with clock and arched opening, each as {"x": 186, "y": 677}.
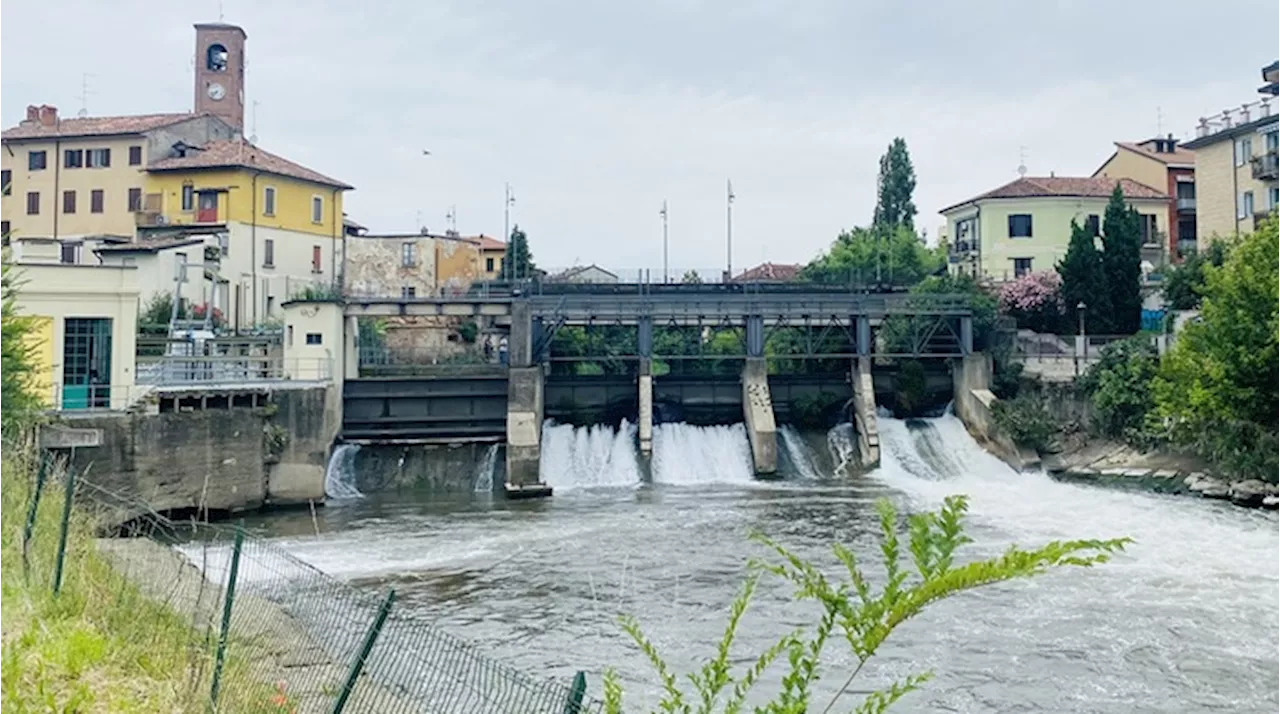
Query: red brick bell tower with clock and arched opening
{"x": 221, "y": 72}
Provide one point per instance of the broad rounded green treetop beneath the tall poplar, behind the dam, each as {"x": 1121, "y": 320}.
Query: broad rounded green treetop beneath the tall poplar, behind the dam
{"x": 863, "y": 257}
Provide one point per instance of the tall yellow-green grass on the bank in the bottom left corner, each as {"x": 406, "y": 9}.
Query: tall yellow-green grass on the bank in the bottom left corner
{"x": 102, "y": 646}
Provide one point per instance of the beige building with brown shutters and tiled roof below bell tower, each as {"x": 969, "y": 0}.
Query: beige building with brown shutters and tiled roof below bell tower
{"x": 68, "y": 180}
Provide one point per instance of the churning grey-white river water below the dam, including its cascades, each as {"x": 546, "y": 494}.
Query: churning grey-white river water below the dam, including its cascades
{"x": 1186, "y": 621}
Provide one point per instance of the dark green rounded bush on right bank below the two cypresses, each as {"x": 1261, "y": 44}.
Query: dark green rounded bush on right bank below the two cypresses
{"x": 1121, "y": 388}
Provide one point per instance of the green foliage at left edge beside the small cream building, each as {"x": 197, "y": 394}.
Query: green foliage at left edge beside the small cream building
{"x": 20, "y": 383}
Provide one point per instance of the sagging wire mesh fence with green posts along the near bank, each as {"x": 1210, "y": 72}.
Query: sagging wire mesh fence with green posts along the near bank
{"x": 309, "y": 640}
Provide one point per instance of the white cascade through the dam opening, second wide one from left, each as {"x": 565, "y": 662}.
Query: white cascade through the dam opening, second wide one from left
{"x": 687, "y": 455}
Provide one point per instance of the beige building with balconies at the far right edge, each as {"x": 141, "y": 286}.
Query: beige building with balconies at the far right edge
{"x": 1237, "y": 171}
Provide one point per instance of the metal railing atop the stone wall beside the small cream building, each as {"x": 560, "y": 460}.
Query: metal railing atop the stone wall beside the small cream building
{"x": 180, "y": 370}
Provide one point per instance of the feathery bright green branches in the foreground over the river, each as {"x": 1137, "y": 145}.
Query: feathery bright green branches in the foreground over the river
{"x": 854, "y": 611}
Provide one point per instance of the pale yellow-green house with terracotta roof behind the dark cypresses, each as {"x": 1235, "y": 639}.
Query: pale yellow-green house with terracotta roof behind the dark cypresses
{"x": 1026, "y": 226}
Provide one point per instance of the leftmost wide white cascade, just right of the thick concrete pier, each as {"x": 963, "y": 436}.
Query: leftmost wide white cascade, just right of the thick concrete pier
{"x": 584, "y": 457}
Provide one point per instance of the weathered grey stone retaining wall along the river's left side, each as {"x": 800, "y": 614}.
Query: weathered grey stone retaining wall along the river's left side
{"x": 218, "y": 460}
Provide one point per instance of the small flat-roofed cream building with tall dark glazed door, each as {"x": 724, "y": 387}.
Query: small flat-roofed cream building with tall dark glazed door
{"x": 85, "y": 335}
